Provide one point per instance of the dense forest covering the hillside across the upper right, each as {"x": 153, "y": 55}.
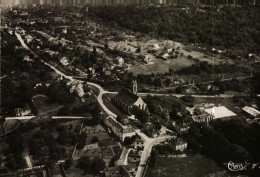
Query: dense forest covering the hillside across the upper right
{"x": 214, "y": 27}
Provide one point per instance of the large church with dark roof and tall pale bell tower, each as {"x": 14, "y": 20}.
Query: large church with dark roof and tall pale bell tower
{"x": 126, "y": 99}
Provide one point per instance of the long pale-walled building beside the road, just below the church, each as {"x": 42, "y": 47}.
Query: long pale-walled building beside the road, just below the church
{"x": 122, "y": 131}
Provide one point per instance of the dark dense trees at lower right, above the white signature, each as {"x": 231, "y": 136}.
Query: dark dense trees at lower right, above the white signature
{"x": 226, "y": 140}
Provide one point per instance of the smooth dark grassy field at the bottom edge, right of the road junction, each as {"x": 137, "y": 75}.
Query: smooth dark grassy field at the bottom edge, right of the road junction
{"x": 192, "y": 166}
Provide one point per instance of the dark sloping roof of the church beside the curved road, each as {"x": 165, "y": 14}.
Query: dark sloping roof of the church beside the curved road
{"x": 127, "y": 97}
